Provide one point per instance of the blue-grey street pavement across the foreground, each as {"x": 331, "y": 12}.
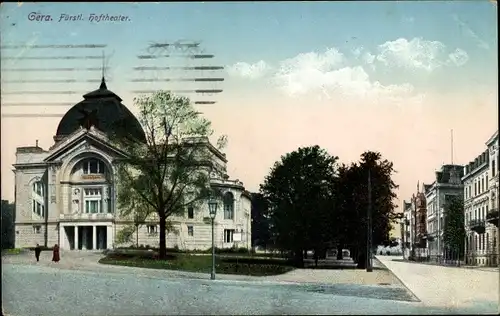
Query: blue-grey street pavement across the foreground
{"x": 79, "y": 285}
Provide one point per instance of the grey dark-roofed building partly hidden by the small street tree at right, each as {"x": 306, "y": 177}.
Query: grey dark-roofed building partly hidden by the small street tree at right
{"x": 447, "y": 185}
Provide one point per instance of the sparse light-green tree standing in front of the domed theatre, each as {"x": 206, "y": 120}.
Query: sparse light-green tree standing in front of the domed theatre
{"x": 170, "y": 169}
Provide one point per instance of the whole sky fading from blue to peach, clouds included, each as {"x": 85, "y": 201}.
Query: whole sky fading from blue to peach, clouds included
{"x": 393, "y": 77}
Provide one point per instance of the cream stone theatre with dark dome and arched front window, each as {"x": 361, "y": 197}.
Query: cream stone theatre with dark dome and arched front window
{"x": 67, "y": 195}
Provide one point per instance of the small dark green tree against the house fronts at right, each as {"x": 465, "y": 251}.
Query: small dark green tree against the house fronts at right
{"x": 453, "y": 229}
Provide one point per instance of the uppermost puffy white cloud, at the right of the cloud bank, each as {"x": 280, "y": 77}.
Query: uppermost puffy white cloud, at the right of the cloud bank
{"x": 416, "y": 53}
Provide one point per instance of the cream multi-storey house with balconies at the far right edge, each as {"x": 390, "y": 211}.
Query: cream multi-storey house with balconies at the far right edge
{"x": 481, "y": 206}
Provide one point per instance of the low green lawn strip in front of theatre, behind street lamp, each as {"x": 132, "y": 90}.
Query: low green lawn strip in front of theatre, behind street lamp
{"x": 196, "y": 263}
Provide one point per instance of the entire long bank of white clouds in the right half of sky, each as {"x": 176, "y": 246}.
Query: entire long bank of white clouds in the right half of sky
{"x": 331, "y": 72}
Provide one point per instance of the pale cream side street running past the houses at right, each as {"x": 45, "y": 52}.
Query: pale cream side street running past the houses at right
{"x": 446, "y": 286}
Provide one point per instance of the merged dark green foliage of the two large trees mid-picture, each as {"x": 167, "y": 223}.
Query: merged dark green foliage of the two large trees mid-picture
{"x": 314, "y": 204}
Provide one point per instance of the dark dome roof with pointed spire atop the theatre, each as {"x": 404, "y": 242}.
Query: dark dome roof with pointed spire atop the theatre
{"x": 102, "y": 109}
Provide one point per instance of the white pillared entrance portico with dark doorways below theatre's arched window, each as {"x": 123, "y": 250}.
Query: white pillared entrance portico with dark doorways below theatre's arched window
{"x": 86, "y": 236}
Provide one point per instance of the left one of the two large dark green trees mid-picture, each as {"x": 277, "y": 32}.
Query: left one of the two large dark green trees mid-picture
{"x": 297, "y": 190}
